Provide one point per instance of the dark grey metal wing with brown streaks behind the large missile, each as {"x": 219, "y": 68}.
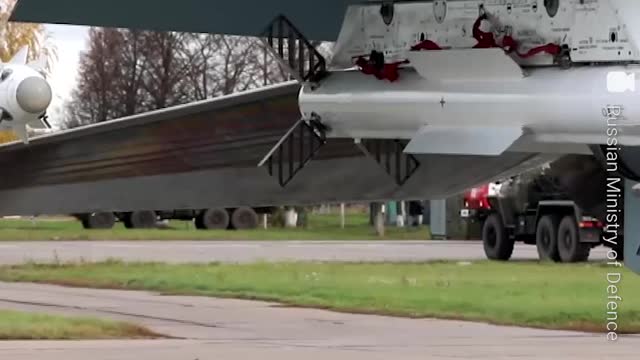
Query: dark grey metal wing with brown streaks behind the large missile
{"x": 205, "y": 155}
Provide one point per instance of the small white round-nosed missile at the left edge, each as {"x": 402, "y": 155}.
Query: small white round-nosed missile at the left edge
{"x": 25, "y": 95}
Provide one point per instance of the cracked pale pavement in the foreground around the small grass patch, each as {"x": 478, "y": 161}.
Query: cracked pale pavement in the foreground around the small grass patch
{"x": 234, "y": 329}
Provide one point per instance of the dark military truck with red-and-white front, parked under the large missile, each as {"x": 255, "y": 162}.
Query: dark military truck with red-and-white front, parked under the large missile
{"x": 534, "y": 209}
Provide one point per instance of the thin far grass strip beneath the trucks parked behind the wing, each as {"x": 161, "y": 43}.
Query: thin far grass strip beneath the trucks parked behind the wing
{"x": 321, "y": 227}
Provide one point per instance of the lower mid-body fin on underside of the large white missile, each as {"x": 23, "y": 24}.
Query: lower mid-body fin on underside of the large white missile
{"x": 463, "y": 140}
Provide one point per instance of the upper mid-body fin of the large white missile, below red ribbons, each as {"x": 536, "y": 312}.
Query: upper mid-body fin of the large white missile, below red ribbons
{"x": 465, "y": 65}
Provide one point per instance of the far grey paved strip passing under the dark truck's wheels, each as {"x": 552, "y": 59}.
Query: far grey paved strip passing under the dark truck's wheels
{"x": 246, "y": 251}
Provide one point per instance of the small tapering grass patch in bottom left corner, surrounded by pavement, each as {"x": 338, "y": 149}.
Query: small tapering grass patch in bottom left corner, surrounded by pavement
{"x": 28, "y": 326}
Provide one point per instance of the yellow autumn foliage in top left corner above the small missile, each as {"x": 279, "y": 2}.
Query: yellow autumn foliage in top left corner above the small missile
{"x": 13, "y": 36}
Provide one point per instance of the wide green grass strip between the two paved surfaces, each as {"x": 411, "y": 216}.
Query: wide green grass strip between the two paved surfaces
{"x": 518, "y": 293}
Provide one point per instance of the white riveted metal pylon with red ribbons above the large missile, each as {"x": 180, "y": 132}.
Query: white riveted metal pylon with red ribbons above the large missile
{"x": 590, "y": 31}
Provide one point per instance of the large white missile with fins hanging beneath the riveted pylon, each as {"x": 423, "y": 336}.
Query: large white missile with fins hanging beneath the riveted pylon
{"x": 478, "y": 101}
